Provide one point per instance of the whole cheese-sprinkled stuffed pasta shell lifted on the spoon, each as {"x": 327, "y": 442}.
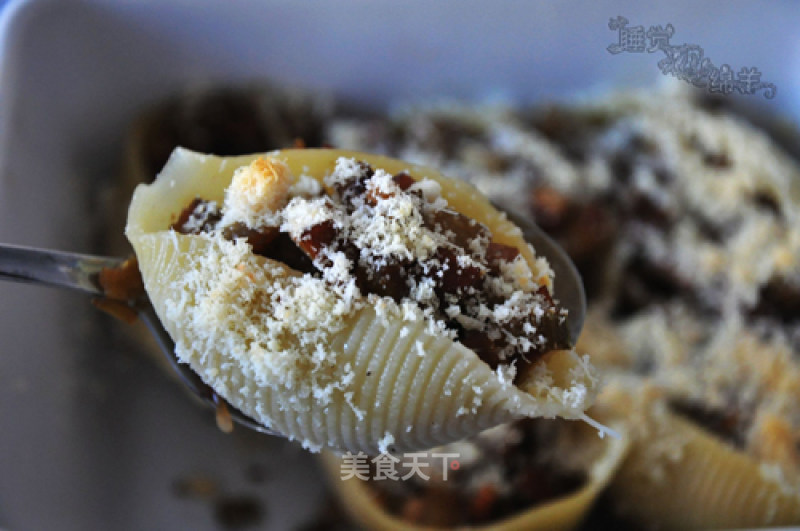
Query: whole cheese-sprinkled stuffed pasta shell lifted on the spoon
{"x": 351, "y": 301}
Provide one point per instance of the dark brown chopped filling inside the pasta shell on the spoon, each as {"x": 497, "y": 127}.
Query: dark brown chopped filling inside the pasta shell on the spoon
{"x": 460, "y": 280}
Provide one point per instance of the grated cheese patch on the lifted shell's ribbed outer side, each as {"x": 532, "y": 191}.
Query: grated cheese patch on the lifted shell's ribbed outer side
{"x": 284, "y": 324}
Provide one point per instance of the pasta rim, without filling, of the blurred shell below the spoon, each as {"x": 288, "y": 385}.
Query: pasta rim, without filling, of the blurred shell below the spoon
{"x": 362, "y": 504}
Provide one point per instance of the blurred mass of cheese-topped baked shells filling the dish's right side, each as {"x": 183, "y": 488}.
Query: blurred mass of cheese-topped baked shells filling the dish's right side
{"x": 684, "y": 221}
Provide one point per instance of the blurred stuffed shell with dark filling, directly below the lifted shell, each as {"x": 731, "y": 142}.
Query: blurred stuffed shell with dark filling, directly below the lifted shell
{"x": 530, "y": 474}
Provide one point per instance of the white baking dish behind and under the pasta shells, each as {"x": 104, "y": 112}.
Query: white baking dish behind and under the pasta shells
{"x": 93, "y": 435}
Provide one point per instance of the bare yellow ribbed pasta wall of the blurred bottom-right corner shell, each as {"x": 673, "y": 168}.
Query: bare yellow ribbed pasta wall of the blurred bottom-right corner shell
{"x": 705, "y": 484}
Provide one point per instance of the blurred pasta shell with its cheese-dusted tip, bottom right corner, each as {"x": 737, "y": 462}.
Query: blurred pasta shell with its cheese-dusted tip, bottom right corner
{"x": 682, "y": 476}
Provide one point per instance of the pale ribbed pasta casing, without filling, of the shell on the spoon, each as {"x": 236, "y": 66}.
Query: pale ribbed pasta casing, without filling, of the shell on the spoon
{"x": 382, "y": 377}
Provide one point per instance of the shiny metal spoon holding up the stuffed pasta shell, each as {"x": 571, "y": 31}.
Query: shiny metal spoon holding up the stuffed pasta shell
{"x": 81, "y": 272}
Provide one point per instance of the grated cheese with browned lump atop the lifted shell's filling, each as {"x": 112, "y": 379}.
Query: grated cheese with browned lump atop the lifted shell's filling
{"x": 399, "y": 240}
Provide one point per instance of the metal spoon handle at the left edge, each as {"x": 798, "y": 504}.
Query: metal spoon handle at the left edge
{"x": 53, "y": 268}
